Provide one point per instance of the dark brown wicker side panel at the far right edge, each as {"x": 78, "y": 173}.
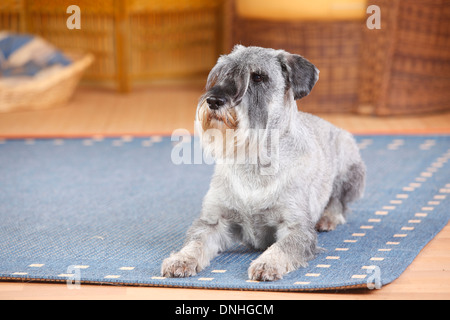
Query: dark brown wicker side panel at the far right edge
{"x": 405, "y": 66}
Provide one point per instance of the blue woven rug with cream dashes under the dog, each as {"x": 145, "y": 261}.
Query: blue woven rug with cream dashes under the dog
{"x": 110, "y": 210}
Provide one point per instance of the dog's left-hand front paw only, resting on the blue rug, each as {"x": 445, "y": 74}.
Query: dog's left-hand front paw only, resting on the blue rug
{"x": 179, "y": 266}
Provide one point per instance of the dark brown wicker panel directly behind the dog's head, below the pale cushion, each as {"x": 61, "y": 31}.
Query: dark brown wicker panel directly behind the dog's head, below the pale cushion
{"x": 333, "y": 46}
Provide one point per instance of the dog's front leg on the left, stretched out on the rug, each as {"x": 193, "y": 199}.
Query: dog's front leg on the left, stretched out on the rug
{"x": 204, "y": 240}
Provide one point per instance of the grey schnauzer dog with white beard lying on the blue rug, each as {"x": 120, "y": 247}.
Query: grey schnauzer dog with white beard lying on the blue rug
{"x": 318, "y": 170}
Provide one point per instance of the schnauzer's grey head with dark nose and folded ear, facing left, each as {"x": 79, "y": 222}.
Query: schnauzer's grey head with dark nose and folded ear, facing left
{"x": 250, "y": 84}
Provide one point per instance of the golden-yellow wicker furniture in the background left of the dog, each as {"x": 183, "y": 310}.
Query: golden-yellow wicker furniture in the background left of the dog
{"x": 132, "y": 40}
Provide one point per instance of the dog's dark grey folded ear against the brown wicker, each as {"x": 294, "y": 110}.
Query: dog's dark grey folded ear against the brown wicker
{"x": 300, "y": 74}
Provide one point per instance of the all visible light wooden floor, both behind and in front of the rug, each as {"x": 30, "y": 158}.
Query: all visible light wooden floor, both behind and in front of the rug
{"x": 161, "y": 109}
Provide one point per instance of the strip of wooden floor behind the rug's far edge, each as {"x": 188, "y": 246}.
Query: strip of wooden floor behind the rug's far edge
{"x": 161, "y": 109}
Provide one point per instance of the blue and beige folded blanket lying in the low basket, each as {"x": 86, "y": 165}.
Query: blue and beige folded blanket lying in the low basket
{"x": 27, "y": 55}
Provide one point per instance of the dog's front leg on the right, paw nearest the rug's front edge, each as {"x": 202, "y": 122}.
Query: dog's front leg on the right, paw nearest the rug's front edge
{"x": 295, "y": 245}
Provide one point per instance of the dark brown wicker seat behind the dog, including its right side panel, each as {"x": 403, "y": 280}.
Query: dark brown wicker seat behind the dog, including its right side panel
{"x": 403, "y": 68}
